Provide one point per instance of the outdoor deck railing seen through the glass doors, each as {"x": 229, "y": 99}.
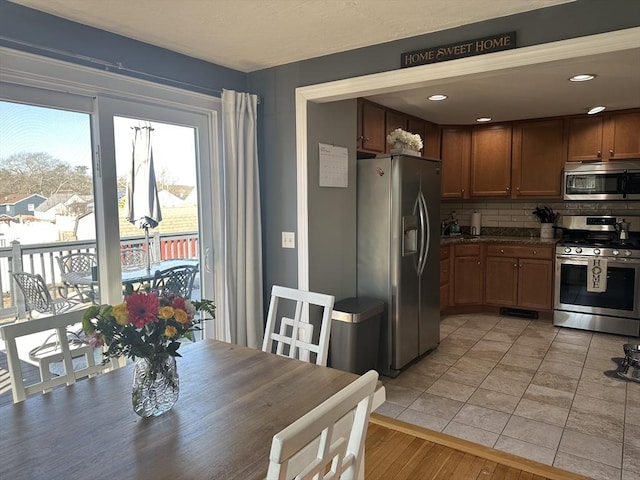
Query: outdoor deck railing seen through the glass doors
{"x": 41, "y": 259}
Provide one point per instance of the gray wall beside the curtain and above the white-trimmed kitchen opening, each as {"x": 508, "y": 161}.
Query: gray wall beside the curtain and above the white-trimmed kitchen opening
{"x": 276, "y": 87}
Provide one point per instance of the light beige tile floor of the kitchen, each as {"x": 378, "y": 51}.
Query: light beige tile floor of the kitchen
{"x": 526, "y": 387}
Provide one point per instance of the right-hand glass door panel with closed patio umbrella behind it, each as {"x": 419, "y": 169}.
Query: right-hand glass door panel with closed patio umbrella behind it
{"x": 180, "y": 149}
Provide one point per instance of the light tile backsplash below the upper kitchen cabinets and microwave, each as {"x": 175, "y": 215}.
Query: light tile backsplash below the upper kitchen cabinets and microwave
{"x": 515, "y": 217}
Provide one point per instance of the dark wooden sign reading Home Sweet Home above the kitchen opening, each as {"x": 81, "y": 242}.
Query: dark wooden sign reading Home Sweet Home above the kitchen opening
{"x": 468, "y": 48}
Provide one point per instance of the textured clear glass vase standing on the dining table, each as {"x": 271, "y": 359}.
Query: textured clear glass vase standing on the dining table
{"x": 156, "y": 386}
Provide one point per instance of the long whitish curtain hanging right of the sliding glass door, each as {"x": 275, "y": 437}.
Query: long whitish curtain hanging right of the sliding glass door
{"x": 238, "y": 241}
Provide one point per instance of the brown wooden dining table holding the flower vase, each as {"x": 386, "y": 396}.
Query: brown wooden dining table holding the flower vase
{"x": 232, "y": 401}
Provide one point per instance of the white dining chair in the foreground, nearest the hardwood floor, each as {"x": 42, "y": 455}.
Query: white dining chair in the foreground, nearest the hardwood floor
{"x": 328, "y": 441}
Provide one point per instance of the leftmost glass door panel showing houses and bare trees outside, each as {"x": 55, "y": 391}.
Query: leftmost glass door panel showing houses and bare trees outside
{"x": 46, "y": 185}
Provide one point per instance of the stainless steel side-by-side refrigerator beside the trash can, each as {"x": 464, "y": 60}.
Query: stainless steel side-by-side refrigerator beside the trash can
{"x": 399, "y": 253}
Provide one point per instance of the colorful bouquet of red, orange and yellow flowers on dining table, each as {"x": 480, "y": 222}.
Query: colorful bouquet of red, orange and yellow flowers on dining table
{"x": 145, "y": 325}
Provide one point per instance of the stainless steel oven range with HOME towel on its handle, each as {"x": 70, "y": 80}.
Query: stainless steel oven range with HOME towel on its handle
{"x": 597, "y": 277}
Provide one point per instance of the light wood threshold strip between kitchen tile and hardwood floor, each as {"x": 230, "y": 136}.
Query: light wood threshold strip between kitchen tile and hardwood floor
{"x": 501, "y": 458}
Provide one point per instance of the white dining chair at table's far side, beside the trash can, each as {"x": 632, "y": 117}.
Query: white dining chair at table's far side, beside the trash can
{"x": 295, "y": 336}
